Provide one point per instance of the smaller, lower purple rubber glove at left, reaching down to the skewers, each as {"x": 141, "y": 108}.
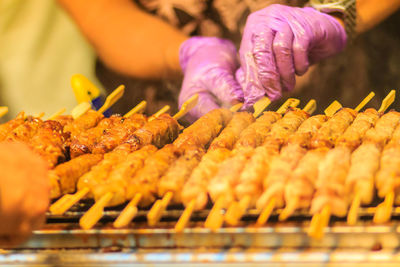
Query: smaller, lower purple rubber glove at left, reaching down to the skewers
{"x": 209, "y": 66}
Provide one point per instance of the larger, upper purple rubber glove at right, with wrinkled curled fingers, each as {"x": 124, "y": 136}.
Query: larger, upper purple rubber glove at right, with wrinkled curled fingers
{"x": 281, "y": 41}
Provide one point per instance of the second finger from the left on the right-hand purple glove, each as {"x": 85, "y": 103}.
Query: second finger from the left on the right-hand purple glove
{"x": 266, "y": 64}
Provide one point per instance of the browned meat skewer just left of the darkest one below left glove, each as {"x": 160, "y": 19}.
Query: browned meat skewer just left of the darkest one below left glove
{"x": 119, "y": 133}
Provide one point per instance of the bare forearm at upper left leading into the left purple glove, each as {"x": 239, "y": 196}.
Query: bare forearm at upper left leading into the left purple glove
{"x": 128, "y": 39}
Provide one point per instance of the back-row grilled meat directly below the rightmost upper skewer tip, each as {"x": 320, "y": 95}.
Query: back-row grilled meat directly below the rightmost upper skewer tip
{"x": 353, "y": 136}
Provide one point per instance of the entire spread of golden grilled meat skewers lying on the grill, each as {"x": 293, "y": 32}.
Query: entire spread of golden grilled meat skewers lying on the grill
{"x": 329, "y": 164}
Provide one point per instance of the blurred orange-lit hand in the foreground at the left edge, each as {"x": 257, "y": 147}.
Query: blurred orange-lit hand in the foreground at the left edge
{"x": 24, "y": 193}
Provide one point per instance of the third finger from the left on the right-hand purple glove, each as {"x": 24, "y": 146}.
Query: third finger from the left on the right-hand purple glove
{"x": 282, "y": 46}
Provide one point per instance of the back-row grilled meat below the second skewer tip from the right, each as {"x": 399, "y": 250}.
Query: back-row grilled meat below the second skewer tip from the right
{"x": 333, "y": 128}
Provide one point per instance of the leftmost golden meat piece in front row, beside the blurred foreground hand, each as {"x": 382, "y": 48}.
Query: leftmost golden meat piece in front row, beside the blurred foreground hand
{"x": 68, "y": 173}
